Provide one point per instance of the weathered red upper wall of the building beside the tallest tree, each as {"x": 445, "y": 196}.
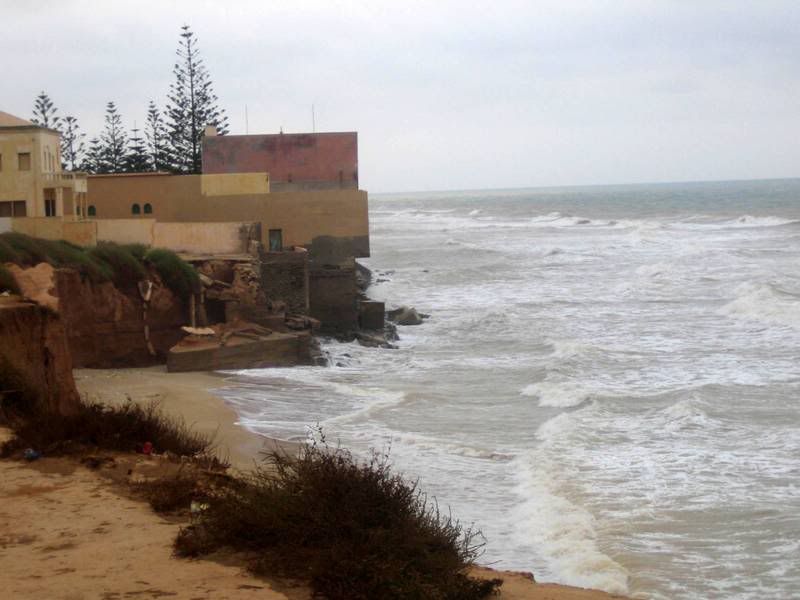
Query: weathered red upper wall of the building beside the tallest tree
{"x": 289, "y": 158}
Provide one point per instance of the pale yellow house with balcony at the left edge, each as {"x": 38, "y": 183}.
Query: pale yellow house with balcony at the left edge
{"x": 32, "y": 183}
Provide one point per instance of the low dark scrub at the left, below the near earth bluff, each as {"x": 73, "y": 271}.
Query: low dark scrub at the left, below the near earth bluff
{"x": 123, "y": 428}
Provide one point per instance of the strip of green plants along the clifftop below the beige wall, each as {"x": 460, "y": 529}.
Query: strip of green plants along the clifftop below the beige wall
{"x": 122, "y": 264}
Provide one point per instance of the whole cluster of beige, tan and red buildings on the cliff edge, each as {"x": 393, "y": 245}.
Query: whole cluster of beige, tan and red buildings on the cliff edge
{"x": 295, "y": 194}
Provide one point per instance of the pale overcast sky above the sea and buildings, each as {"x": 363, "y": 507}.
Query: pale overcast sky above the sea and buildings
{"x": 448, "y": 95}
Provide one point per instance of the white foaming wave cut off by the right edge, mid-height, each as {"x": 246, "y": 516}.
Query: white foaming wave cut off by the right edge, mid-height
{"x": 764, "y": 302}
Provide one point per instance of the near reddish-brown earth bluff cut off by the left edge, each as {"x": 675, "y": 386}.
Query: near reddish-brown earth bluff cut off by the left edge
{"x": 34, "y": 355}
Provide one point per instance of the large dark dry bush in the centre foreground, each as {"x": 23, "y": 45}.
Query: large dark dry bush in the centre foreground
{"x": 354, "y": 529}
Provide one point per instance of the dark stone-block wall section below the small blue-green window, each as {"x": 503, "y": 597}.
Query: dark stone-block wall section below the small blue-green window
{"x": 284, "y": 278}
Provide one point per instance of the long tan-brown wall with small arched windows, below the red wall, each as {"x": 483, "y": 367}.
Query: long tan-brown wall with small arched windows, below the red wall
{"x": 305, "y": 218}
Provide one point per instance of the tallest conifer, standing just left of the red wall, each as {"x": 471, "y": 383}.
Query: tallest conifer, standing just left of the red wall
{"x": 192, "y": 106}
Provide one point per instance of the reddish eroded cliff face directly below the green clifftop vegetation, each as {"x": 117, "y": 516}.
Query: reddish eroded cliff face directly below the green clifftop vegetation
{"x": 105, "y": 326}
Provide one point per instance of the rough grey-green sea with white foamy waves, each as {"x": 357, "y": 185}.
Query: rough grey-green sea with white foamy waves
{"x": 608, "y": 385}
